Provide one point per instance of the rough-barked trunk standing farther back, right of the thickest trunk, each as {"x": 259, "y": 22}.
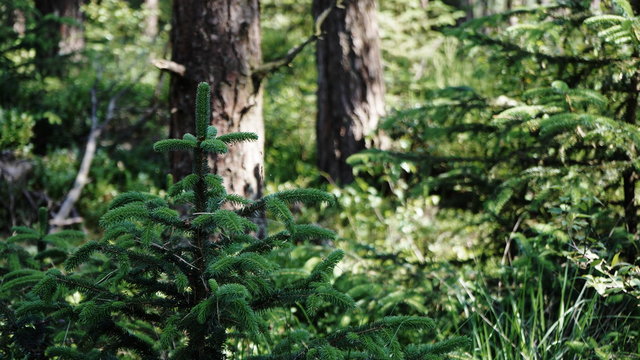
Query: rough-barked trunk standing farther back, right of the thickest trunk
{"x": 350, "y": 84}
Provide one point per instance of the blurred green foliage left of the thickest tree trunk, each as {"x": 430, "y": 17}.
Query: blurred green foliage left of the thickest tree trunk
{"x": 46, "y": 102}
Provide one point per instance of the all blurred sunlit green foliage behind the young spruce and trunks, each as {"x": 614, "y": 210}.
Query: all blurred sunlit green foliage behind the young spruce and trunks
{"x": 484, "y": 215}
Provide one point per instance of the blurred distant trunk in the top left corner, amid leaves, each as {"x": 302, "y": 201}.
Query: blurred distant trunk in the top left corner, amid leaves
{"x": 65, "y": 38}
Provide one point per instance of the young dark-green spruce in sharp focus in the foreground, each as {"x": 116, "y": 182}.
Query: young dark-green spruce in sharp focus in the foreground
{"x": 194, "y": 285}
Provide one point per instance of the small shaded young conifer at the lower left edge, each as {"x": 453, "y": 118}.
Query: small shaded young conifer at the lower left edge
{"x": 28, "y": 324}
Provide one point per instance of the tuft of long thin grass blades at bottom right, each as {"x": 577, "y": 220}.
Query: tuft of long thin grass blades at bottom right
{"x": 526, "y": 322}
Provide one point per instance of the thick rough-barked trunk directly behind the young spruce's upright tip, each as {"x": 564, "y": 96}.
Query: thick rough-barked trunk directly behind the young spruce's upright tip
{"x": 219, "y": 42}
